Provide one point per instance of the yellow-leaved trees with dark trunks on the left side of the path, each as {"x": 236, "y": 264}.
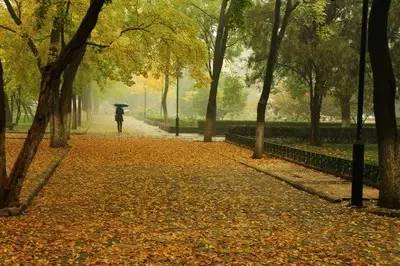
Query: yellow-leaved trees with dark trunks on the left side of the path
{"x": 61, "y": 53}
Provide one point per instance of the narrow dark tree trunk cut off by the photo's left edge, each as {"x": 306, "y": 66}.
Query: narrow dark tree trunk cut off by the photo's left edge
{"x": 3, "y": 168}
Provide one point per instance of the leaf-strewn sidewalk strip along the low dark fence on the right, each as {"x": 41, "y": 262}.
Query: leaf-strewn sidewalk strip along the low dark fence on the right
{"x": 326, "y": 186}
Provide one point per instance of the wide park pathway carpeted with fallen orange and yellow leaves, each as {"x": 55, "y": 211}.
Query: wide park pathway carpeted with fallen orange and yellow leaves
{"x": 136, "y": 199}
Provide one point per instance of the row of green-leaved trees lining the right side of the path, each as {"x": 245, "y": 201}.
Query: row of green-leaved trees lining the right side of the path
{"x": 312, "y": 46}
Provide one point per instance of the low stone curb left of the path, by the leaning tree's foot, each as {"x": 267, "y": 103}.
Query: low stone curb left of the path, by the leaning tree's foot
{"x": 44, "y": 176}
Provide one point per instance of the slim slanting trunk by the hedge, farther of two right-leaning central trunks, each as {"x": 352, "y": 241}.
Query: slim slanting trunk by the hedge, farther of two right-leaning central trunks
{"x": 219, "y": 54}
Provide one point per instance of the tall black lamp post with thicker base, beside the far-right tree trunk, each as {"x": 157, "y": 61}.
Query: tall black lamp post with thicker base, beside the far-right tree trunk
{"x": 358, "y": 146}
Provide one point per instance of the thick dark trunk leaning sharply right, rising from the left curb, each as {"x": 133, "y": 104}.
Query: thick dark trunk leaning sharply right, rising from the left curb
{"x": 49, "y": 81}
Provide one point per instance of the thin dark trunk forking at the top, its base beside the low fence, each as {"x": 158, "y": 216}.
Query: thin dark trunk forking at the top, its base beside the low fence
{"x": 278, "y": 32}
